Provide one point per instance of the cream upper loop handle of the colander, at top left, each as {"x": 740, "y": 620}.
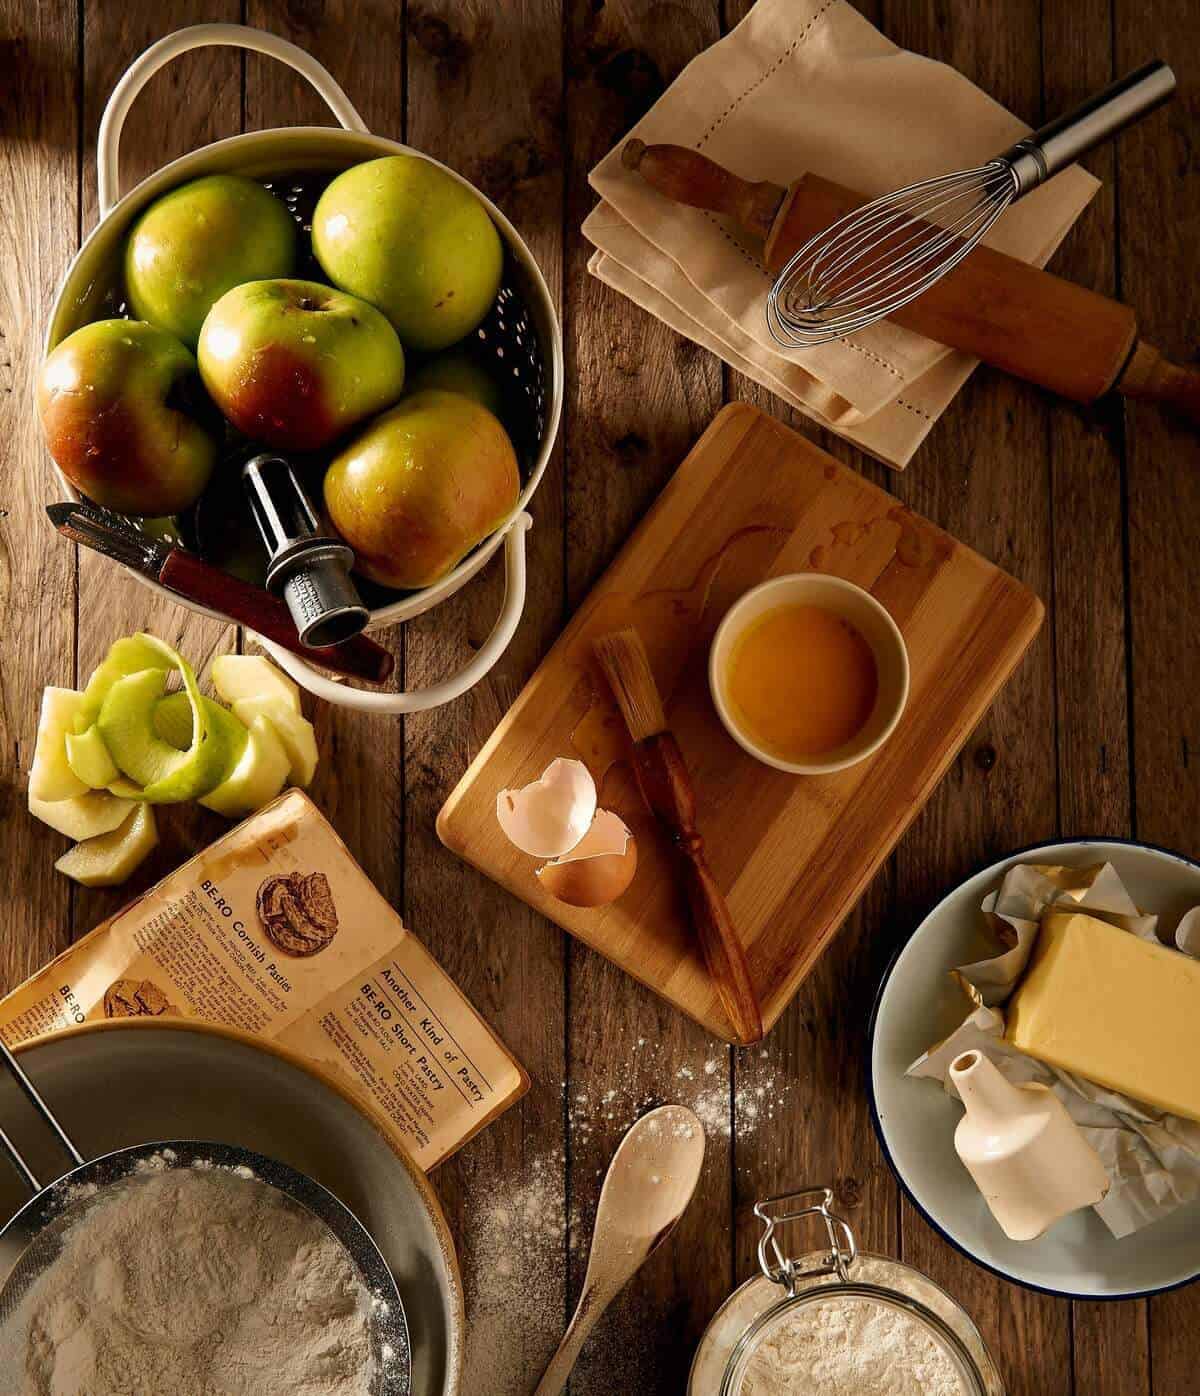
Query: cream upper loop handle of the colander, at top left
{"x": 183, "y": 41}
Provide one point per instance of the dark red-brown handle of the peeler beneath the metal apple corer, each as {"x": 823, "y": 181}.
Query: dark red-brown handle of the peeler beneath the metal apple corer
{"x": 255, "y": 607}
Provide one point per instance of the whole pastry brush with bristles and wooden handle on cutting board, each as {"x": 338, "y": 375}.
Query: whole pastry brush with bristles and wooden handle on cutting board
{"x": 668, "y": 791}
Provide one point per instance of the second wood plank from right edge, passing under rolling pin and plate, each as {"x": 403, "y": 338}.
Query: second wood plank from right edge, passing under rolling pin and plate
{"x": 1086, "y": 452}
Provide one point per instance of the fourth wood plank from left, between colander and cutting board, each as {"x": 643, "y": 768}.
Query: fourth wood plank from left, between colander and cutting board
{"x": 485, "y": 96}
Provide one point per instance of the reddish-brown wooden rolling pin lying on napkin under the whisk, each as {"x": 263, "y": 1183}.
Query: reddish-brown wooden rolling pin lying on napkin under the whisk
{"x": 1017, "y": 318}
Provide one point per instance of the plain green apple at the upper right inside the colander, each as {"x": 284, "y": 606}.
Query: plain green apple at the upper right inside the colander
{"x": 408, "y": 237}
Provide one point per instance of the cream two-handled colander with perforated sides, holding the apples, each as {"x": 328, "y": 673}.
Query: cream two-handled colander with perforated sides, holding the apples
{"x": 520, "y": 341}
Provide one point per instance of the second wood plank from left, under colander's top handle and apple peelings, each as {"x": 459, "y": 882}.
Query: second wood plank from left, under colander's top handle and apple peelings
{"x": 167, "y": 122}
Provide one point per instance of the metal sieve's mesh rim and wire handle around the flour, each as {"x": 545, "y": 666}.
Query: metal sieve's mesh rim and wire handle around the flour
{"x": 31, "y": 1240}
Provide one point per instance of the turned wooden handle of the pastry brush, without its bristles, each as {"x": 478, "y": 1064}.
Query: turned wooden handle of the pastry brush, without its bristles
{"x": 668, "y": 789}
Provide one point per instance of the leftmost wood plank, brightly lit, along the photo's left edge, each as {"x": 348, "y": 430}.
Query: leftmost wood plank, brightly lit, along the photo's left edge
{"x": 40, "y": 117}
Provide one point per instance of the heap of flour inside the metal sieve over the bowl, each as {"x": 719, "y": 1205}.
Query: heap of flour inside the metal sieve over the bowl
{"x": 197, "y": 1281}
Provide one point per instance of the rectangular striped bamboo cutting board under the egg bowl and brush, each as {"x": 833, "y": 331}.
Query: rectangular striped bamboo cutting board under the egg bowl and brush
{"x": 792, "y": 854}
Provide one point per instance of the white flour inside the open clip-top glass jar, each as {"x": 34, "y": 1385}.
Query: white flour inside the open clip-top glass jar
{"x": 850, "y": 1348}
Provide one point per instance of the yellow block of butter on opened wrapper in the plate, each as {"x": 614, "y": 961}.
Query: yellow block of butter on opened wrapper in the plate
{"x": 1107, "y": 1006}
